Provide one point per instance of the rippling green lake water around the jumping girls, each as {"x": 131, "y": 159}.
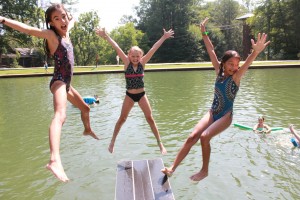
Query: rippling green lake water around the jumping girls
{"x": 243, "y": 165}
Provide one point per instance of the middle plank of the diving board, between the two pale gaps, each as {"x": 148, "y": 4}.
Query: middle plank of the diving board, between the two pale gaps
{"x": 142, "y": 181}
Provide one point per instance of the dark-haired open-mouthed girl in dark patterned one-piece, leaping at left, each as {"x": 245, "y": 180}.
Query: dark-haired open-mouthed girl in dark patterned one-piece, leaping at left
{"x": 59, "y": 46}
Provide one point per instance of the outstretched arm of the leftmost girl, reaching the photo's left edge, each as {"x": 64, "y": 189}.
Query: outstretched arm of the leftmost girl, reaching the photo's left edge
{"x": 29, "y": 30}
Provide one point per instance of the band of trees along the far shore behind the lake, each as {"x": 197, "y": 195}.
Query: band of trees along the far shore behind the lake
{"x": 278, "y": 18}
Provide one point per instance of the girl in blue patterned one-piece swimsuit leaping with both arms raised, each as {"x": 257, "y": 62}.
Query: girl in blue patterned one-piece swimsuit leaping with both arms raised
{"x": 219, "y": 117}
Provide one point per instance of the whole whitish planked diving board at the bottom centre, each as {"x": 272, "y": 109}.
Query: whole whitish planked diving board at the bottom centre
{"x": 142, "y": 180}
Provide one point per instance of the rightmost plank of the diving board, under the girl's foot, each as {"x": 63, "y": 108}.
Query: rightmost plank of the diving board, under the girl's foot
{"x": 160, "y": 182}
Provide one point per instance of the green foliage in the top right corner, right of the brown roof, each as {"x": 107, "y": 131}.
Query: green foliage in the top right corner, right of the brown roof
{"x": 280, "y": 20}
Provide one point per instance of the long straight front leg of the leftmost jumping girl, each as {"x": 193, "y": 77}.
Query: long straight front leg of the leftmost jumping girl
{"x": 58, "y": 90}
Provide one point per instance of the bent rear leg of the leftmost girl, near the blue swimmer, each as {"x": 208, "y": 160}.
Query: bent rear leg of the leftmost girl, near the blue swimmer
{"x": 75, "y": 98}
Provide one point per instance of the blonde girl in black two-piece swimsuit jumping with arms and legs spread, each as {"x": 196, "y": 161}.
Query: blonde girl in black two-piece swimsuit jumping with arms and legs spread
{"x": 134, "y": 64}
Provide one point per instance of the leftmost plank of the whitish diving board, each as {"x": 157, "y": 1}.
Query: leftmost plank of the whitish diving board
{"x": 124, "y": 182}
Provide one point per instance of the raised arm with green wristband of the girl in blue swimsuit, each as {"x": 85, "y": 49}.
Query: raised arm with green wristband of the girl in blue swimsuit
{"x": 209, "y": 46}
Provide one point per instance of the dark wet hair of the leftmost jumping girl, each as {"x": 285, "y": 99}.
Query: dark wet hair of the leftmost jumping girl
{"x": 48, "y": 14}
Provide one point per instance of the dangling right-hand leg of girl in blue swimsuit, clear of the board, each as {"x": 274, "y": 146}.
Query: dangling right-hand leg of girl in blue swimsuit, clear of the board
{"x": 214, "y": 129}
